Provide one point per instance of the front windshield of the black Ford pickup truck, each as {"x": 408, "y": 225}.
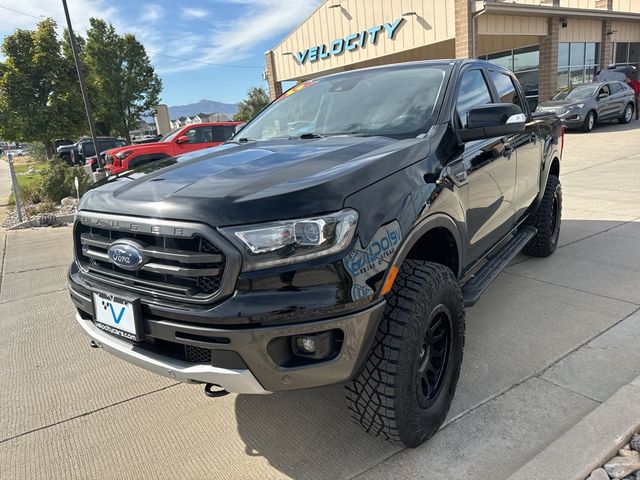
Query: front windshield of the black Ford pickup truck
{"x": 398, "y": 103}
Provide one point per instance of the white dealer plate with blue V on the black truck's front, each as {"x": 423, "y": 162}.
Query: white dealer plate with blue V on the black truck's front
{"x": 117, "y": 316}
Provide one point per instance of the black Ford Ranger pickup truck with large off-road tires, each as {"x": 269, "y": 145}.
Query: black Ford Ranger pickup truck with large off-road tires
{"x": 337, "y": 238}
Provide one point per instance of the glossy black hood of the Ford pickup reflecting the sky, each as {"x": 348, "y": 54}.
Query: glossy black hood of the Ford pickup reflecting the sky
{"x": 256, "y": 182}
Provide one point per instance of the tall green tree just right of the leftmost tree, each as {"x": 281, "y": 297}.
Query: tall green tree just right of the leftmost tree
{"x": 121, "y": 78}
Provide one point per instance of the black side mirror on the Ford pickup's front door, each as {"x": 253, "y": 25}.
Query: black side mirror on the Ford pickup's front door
{"x": 493, "y": 120}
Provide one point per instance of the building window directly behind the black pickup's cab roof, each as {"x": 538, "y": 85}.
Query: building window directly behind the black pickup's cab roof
{"x": 524, "y": 62}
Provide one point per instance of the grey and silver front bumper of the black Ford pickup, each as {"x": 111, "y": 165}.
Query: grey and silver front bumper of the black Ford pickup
{"x": 259, "y": 372}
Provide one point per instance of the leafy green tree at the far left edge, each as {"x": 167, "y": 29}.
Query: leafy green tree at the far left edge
{"x": 38, "y": 96}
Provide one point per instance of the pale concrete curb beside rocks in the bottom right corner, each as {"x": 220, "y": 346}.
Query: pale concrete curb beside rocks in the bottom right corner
{"x": 589, "y": 443}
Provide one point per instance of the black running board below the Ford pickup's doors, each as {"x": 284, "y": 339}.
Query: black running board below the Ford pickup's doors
{"x": 472, "y": 290}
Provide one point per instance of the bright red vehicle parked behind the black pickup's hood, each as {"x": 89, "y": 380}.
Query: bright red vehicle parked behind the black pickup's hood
{"x": 182, "y": 140}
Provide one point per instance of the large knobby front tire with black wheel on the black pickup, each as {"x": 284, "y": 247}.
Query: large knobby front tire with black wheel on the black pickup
{"x": 388, "y": 397}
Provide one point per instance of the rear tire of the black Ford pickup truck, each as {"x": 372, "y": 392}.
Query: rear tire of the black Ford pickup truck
{"x": 547, "y": 220}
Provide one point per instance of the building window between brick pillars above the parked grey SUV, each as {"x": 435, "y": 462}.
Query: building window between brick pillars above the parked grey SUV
{"x": 577, "y": 63}
